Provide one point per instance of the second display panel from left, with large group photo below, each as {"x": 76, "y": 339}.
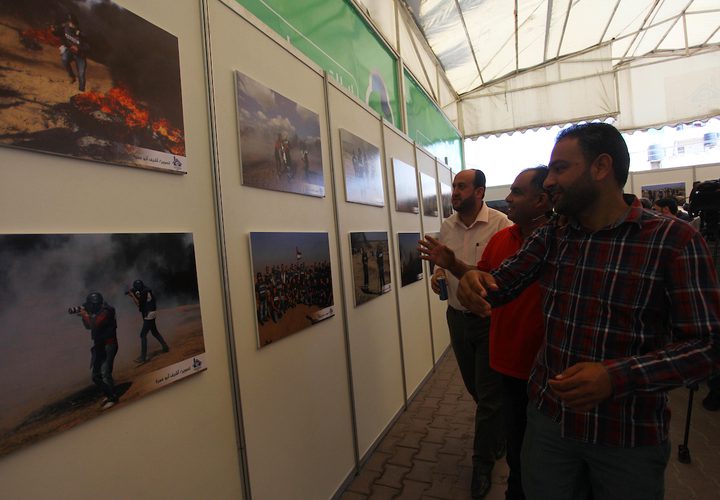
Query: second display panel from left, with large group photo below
{"x": 283, "y": 265}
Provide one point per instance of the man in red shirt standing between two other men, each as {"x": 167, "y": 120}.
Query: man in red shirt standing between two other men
{"x": 516, "y": 329}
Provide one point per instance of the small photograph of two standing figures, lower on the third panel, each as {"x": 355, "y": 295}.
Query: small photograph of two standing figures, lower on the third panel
{"x": 370, "y": 265}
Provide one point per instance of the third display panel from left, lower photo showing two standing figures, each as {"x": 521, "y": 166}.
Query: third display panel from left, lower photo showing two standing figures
{"x": 367, "y": 252}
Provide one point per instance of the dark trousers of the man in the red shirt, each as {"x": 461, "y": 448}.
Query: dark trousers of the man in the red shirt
{"x": 515, "y": 412}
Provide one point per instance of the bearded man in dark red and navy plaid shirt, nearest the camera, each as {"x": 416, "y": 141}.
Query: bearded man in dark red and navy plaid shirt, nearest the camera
{"x": 632, "y": 310}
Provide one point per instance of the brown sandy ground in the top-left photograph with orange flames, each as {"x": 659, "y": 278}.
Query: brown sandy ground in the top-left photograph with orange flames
{"x": 32, "y": 81}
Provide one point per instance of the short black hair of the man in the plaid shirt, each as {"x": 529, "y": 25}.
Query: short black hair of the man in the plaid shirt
{"x": 598, "y": 138}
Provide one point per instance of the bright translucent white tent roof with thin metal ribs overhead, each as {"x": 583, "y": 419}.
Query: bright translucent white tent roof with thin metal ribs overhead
{"x": 481, "y": 42}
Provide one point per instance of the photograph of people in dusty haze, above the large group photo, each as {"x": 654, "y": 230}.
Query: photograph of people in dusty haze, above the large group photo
{"x": 280, "y": 146}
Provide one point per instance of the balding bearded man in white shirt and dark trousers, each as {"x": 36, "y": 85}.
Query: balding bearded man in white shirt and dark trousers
{"x": 466, "y": 233}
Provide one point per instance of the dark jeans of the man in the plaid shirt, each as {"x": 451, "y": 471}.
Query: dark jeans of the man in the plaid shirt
{"x": 560, "y": 468}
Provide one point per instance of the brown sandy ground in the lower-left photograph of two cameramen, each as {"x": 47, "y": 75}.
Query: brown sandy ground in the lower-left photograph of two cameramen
{"x": 184, "y": 335}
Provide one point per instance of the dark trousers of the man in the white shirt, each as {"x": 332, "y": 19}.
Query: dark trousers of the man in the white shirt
{"x": 469, "y": 336}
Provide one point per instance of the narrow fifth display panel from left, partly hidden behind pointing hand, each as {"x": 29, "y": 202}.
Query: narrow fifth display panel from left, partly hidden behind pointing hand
{"x": 431, "y": 222}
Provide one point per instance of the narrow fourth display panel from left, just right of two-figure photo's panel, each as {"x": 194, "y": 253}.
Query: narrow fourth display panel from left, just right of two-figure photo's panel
{"x": 405, "y": 222}
